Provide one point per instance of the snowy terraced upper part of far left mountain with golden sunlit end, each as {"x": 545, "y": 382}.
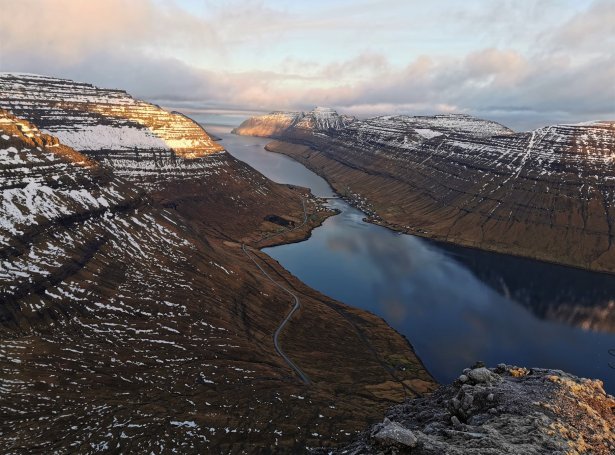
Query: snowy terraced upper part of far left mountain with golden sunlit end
{"x": 140, "y": 140}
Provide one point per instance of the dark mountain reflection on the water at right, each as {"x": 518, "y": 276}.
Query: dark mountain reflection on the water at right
{"x": 553, "y": 292}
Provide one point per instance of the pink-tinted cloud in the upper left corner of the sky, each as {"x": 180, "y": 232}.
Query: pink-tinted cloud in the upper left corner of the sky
{"x": 72, "y": 29}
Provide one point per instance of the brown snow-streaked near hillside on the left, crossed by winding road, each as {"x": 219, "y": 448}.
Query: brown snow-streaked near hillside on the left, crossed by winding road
{"x": 132, "y": 320}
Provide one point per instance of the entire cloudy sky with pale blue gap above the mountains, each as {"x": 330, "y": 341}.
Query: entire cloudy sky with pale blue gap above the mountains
{"x": 525, "y": 63}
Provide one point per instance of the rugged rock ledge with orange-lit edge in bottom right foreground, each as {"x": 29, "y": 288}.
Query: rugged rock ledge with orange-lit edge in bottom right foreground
{"x": 505, "y": 410}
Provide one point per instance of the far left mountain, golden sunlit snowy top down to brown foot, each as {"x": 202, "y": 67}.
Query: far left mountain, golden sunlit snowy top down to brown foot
{"x": 167, "y": 154}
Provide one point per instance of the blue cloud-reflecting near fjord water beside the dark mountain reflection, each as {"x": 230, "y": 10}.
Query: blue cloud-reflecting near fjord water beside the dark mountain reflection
{"x": 452, "y": 317}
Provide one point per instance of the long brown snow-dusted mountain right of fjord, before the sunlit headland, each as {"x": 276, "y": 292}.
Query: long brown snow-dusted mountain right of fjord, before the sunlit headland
{"x": 547, "y": 194}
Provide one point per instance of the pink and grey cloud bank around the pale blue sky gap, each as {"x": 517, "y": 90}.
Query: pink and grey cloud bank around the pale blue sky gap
{"x": 136, "y": 45}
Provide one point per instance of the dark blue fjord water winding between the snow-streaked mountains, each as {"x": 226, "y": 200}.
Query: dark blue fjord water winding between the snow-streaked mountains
{"x": 456, "y": 305}
